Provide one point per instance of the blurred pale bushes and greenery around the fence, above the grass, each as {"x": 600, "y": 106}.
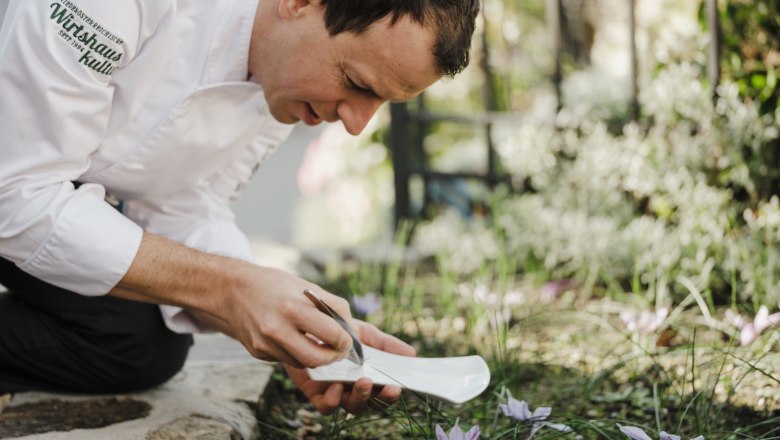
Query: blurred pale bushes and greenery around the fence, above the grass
{"x": 683, "y": 198}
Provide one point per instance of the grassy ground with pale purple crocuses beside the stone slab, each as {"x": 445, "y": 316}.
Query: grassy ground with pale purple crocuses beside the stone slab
{"x": 571, "y": 353}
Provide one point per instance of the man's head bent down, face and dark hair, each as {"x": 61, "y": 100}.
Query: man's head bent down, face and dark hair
{"x": 328, "y": 60}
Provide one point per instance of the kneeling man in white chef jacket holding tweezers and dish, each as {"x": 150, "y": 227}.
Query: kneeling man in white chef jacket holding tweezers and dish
{"x": 166, "y": 108}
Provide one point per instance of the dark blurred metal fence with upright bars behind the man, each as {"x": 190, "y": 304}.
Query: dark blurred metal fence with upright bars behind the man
{"x": 410, "y": 122}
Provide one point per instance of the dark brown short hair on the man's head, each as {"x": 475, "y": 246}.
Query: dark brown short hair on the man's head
{"x": 452, "y": 20}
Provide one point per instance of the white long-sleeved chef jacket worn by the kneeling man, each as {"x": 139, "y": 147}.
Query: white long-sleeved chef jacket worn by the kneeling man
{"x": 145, "y": 99}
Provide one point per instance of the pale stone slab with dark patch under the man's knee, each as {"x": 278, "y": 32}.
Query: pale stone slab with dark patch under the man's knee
{"x": 211, "y": 398}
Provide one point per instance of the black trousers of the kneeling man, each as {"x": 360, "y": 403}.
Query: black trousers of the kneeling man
{"x": 52, "y": 339}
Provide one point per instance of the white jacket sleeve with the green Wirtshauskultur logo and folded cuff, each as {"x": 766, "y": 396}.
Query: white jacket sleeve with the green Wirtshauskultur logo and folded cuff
{"x": 56, "y": 62}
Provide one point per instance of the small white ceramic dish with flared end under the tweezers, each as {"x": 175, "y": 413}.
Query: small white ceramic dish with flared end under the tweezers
{"x": 455, "y": 379}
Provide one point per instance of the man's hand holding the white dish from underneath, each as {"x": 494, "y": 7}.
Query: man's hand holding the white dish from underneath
{"x": 354, "y": 398}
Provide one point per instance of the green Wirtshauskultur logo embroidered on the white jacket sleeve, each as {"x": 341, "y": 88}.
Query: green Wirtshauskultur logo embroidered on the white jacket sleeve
{"x": 100, "y": 50}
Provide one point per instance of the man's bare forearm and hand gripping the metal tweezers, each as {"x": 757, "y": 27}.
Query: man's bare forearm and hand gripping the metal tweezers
{"x": 264, "y": 308}
